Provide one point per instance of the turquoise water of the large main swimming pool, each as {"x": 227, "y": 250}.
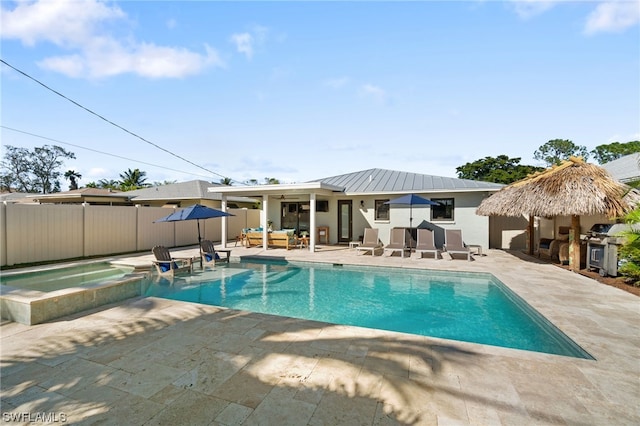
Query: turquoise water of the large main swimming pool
{"x": 460, "y": 306}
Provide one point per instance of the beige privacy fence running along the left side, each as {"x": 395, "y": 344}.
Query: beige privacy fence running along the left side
{"x": 44, "y": 232}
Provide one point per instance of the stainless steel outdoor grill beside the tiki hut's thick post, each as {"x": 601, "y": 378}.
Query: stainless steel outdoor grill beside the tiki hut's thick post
{"x": 602, "y": 248}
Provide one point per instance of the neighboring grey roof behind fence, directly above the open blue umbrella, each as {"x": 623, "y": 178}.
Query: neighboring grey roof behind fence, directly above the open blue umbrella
{"x": 191, "y": 190}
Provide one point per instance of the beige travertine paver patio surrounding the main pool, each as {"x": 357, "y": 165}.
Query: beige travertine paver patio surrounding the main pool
{"x": 155, "y": 361}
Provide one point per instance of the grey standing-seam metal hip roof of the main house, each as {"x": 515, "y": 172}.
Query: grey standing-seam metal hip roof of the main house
{"x": 373, "y": 181}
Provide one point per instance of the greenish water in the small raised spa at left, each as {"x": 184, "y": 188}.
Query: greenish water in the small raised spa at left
{"x": 52, "y": 279}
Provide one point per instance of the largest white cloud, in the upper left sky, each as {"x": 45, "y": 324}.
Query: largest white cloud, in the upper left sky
{"x": 81, "y": 28}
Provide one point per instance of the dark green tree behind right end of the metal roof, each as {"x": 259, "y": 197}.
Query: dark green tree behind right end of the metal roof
{"x": 500, "y": 169}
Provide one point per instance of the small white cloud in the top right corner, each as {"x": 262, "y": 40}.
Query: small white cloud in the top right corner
{"x": 613, "y": 17}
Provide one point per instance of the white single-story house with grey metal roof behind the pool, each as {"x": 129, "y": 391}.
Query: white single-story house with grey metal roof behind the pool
{"x": 337, "y": 209}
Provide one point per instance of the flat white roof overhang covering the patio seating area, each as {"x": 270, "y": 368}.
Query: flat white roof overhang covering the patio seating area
{"x": 317, "y": 188}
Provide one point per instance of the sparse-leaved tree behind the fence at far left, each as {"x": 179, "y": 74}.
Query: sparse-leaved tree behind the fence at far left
{"x": 36, "y": 171}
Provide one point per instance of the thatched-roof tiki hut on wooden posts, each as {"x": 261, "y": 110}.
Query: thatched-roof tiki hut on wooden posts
{"x": 574, "y": 188}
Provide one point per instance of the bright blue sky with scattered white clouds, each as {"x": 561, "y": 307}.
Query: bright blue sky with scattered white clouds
{"x": 299, "y": 91}
